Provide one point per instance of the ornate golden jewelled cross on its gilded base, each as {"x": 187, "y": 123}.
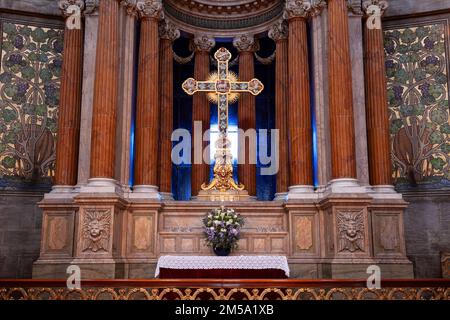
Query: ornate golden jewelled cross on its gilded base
{"x": 223, "y": 87}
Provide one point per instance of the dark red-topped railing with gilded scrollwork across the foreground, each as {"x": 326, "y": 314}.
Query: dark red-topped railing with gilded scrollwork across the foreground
{"x": 434, "y": 289}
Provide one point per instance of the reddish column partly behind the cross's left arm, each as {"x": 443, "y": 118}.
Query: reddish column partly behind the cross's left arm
{"x": 200, "y": 113}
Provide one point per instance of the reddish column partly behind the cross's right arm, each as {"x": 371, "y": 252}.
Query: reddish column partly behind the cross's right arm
{"x": 246, "y": 46}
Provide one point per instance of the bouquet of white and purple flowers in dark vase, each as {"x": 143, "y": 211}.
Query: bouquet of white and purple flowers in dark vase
{"x": 222, "y": 228}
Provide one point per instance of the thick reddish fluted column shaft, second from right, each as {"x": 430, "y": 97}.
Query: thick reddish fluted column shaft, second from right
{"x": 343, "y": 163}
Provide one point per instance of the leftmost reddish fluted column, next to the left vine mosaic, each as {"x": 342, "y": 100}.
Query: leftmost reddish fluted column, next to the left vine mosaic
{"x": 70, "y": 100}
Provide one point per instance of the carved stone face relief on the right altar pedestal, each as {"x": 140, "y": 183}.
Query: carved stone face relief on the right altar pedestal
{"x": 350, "y": 225}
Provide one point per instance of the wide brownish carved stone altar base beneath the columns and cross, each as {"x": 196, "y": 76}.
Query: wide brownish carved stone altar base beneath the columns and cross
{"x": 112, "y": 237}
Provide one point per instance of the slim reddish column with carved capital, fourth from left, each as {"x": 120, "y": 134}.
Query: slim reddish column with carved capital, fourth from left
{"x": 168, "y": 33}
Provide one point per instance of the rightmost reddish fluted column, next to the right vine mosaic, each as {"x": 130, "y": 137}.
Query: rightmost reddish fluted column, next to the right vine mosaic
{"x": 376, "y": 95}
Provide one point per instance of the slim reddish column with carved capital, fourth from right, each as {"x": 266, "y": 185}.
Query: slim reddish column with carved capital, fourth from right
{"x": 279, "y": 33}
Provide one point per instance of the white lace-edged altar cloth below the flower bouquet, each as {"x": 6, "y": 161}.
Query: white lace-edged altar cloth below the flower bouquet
{"x": 228, "y": 262}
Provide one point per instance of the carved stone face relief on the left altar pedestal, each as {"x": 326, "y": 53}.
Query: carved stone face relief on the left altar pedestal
{"x": 96, "y": 231}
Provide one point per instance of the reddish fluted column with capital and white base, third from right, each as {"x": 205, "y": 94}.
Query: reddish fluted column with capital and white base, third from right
{"x": 299, "y": 108}
